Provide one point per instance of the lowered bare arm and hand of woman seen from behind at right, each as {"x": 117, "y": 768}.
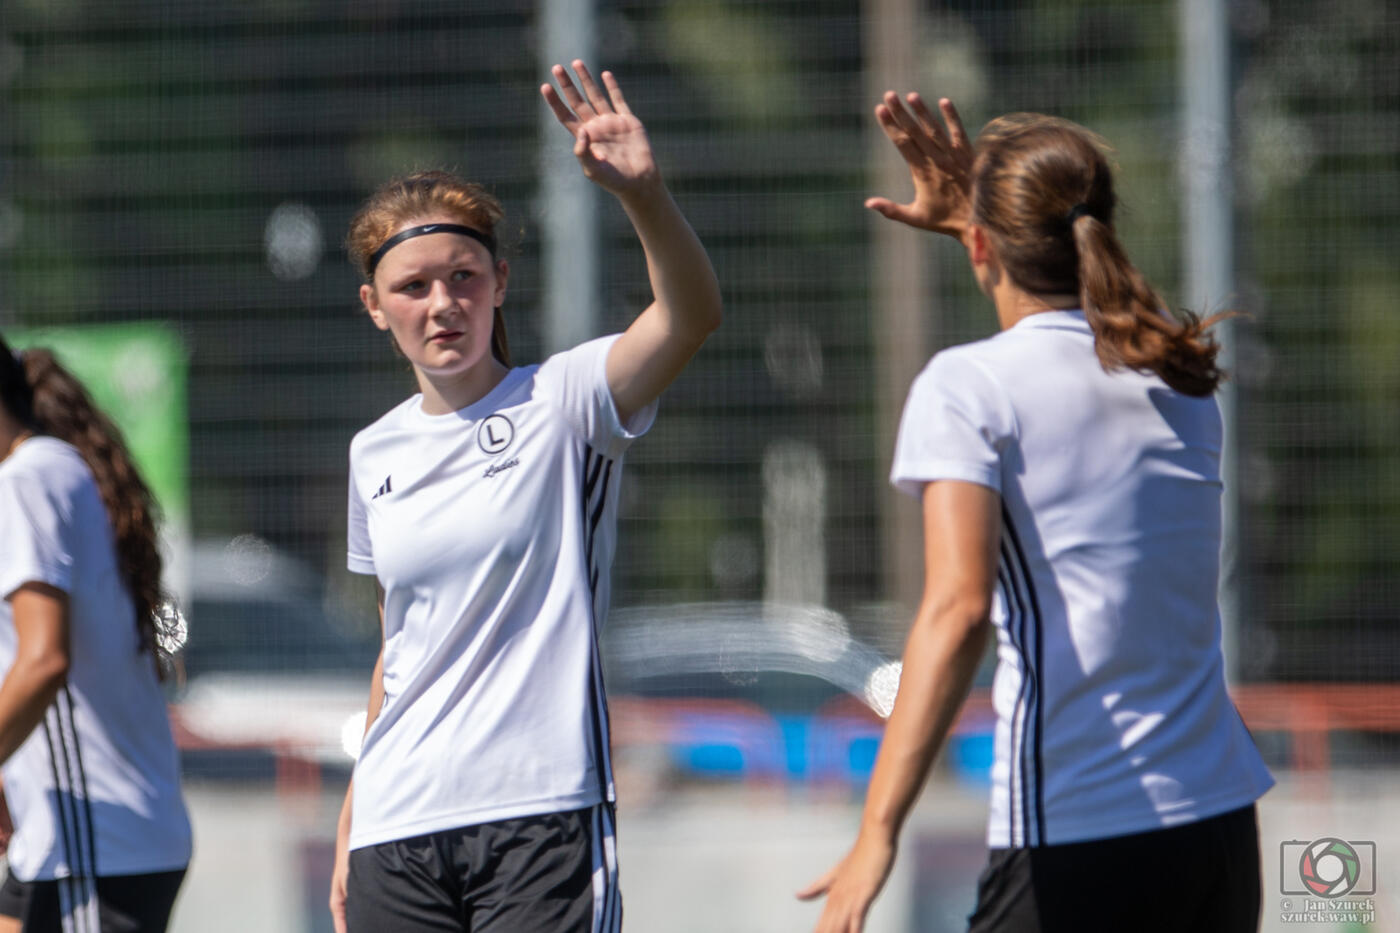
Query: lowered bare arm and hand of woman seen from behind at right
{"x": 962, "y": 527}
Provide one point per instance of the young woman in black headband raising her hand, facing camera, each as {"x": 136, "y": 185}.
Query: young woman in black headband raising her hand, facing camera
{"x": 486, "y": 508}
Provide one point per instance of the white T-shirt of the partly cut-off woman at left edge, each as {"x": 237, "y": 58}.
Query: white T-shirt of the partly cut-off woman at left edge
{"x": 96, "y": 788}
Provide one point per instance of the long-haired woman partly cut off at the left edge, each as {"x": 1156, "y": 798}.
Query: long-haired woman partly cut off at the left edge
{"x": 92, "y": 774}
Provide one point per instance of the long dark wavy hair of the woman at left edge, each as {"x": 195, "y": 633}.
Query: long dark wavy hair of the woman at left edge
{"x": 48, "y": 400}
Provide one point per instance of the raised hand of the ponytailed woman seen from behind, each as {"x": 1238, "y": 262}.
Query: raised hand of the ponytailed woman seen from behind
{"x": 940, "y": 163}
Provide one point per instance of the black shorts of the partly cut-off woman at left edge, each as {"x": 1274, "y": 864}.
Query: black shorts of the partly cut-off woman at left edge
{"x": 113, "y": 904}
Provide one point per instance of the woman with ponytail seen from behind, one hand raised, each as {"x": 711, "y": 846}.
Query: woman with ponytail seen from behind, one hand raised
{"x": 1069, "y": 473}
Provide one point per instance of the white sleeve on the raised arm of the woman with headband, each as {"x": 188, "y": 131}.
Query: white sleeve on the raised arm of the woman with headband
{"x": 577, "y": 383}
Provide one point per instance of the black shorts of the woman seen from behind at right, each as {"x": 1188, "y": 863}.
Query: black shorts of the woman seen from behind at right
{"x": 1202, "y": 876}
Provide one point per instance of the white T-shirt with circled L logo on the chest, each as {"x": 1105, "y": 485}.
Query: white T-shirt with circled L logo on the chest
{"x": 492, "y": 533}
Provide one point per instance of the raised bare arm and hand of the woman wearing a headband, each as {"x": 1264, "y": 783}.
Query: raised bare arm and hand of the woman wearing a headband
{"x": 612, "y": 148}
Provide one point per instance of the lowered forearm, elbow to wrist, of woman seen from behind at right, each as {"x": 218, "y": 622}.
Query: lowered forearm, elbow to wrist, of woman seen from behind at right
{"x": 940, "y": 662}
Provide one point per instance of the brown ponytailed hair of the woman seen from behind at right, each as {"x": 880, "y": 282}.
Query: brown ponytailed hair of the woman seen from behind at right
{"x": 1044, "y": 191}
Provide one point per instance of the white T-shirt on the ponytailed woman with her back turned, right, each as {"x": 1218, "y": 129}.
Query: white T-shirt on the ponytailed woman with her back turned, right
{"x": 1111, "y": 694}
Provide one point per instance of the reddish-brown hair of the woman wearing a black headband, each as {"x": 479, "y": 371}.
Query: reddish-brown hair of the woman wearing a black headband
{"x": 415, "y": 198}
